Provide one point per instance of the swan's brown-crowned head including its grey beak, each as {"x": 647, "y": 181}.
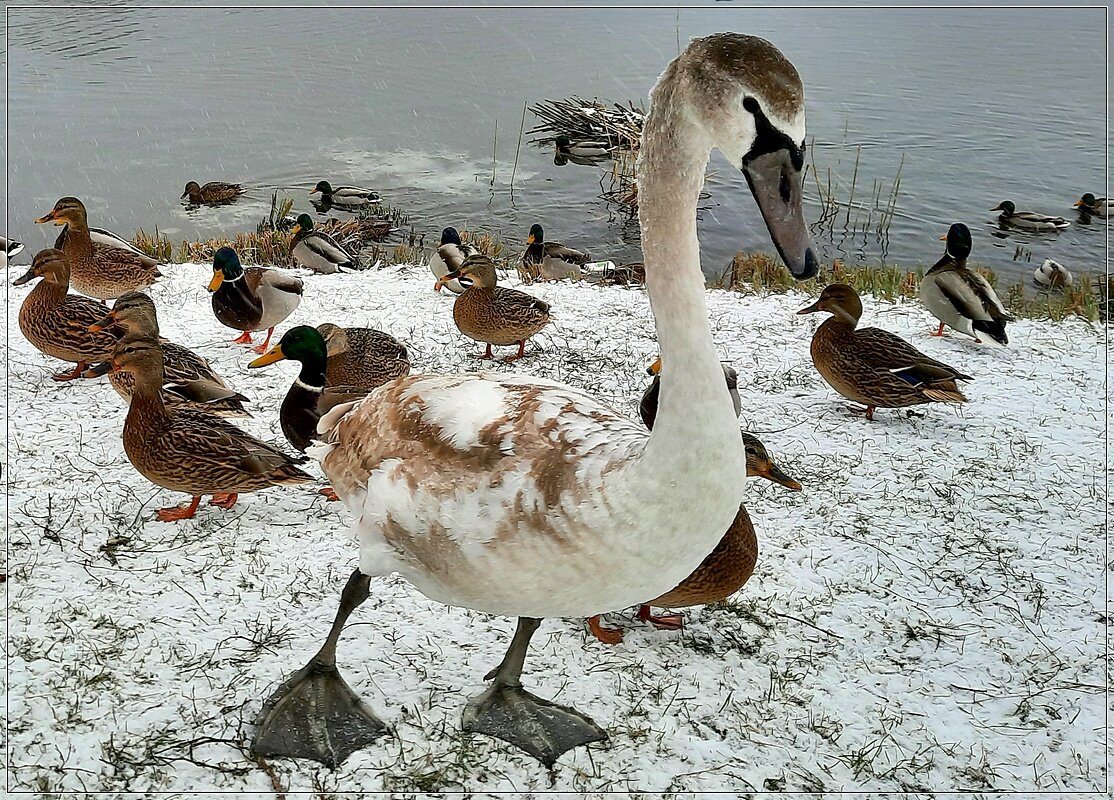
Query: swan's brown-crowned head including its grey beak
{"x": 750, "y": 101}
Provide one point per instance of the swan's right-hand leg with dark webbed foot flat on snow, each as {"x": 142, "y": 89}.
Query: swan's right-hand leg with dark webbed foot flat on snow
{"x": 507, "y": 711}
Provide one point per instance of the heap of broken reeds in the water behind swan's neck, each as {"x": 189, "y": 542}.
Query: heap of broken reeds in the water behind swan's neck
{"x": 589, "y": 120}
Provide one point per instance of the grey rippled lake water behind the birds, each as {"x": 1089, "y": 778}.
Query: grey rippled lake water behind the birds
{"x": 122, "y": 109}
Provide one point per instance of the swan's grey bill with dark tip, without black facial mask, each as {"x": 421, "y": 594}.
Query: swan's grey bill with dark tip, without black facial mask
{"x": 776, "y": 184}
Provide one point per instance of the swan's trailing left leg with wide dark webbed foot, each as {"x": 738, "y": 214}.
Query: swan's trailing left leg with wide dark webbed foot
{"x": 315, "y": 715}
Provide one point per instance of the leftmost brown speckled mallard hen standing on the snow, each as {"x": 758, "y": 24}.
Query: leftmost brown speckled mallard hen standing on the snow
{"x": 56, "y": 323}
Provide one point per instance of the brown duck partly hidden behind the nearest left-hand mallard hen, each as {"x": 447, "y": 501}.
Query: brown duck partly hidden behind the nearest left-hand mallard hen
{"x": 189, "y": 378}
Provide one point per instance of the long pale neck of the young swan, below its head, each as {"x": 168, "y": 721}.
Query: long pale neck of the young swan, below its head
{"x": 696, "y": 412}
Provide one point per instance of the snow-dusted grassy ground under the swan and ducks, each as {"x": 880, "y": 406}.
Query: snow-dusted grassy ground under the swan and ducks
{"x": 926, "y": 616}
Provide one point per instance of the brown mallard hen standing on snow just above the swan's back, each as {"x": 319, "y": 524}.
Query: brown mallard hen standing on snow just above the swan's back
{"x": 491, "y": 314}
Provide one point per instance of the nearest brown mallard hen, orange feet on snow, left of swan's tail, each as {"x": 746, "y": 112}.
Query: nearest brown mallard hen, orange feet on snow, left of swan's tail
{"x": 183, "y": 450}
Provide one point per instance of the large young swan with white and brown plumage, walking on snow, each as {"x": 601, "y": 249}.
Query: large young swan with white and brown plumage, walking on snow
{"x": 520, "y": 496}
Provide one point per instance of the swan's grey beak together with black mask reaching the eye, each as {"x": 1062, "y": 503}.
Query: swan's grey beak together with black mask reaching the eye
{"x": 774, "y": 169}
